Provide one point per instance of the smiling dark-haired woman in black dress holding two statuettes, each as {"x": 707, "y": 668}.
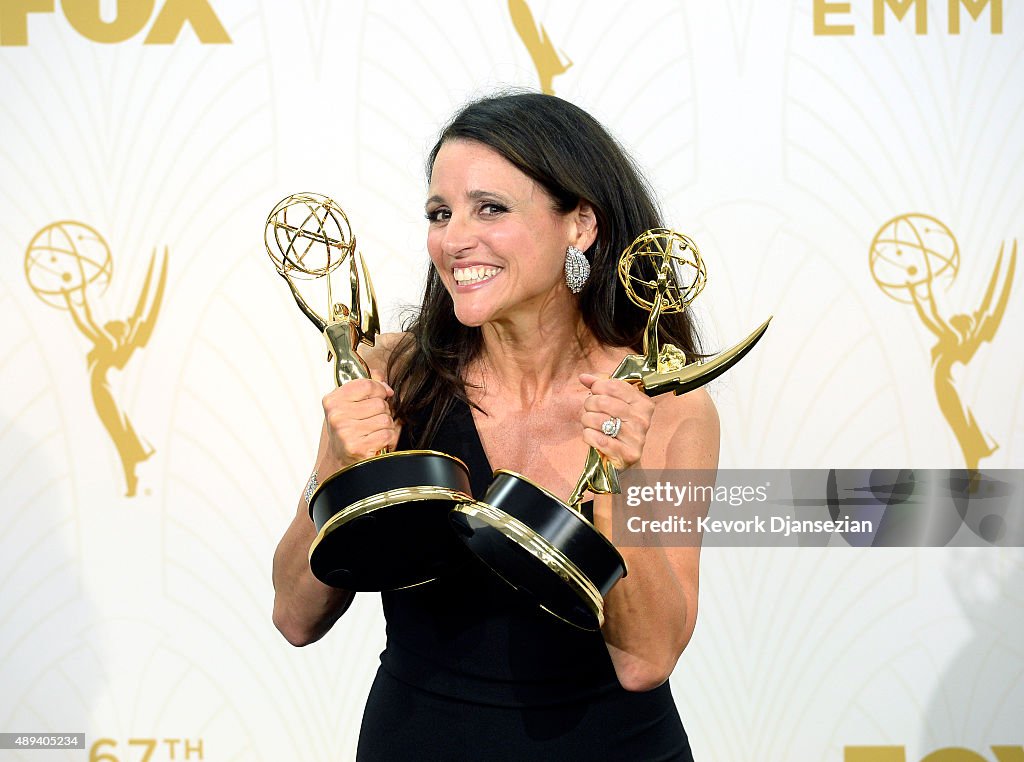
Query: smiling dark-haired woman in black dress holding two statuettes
{"x": 507, "y": 368}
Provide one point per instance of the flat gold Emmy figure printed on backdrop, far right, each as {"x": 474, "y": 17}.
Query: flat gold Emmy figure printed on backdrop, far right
{"x": 913, "y": 255}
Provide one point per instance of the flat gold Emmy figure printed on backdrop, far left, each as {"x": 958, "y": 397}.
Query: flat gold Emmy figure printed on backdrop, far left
{"x": 68, "y": 266}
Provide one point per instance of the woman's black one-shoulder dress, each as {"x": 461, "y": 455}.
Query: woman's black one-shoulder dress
{"x": 473, "y": 672}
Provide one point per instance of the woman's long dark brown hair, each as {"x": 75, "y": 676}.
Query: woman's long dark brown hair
{"x": 573, "y": 157}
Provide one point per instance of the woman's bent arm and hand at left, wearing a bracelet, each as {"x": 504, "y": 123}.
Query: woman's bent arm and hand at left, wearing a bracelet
{"x": 357, "y": 425}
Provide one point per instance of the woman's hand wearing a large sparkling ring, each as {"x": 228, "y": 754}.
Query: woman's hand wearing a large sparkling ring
{"x": 612, "y": 398}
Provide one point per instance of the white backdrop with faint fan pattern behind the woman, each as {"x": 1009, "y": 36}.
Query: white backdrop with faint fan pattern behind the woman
{"x": 783, "y": 152}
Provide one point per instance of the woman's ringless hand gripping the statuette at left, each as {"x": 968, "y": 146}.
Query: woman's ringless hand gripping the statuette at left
{"x": 359, "y": 421}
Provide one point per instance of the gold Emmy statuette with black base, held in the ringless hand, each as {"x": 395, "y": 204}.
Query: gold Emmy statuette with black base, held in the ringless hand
{"x": 382, "y": 523}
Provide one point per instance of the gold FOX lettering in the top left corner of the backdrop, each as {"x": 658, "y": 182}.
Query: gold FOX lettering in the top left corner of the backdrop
{"x": 86, "y": 18}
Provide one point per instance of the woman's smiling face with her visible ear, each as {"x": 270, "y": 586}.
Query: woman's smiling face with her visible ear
{"x": 495, "y": 237}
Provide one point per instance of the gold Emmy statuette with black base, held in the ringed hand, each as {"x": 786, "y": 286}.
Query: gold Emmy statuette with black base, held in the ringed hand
{"x": 546, "y": 547}
